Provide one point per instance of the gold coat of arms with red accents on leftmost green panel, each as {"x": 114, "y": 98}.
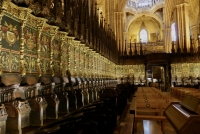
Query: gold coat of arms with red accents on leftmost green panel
{"x": 10, "y": 33}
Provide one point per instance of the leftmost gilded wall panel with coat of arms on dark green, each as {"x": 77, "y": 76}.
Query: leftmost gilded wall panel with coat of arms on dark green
{"x": 10, "y": 55}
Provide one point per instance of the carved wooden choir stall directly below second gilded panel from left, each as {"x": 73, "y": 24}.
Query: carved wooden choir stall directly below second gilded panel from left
{"x": 37, "y": 103}
